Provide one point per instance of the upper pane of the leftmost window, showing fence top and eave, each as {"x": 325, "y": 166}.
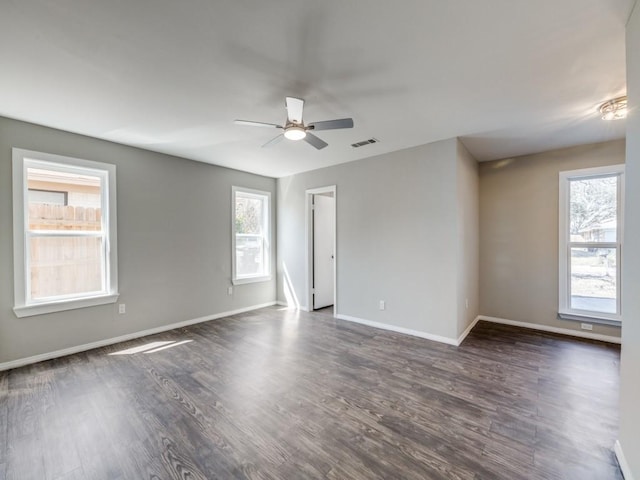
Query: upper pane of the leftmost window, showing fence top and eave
{"x": 63, "y": 201}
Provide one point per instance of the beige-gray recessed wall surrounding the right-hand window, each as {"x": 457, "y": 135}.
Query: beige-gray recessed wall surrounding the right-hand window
{"x": 519, "y": 232}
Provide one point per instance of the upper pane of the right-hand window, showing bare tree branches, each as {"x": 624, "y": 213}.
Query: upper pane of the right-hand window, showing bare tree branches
{"x": 593, "y": 209}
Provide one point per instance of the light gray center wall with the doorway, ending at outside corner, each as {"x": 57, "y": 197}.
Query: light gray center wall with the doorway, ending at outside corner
{"x": 397, "y": 231}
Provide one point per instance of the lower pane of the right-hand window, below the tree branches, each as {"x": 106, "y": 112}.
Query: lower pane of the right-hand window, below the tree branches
{"x": 593, "y": 279}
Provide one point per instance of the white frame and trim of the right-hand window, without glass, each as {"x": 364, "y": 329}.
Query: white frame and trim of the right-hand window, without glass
{"x": 564, "y": 244}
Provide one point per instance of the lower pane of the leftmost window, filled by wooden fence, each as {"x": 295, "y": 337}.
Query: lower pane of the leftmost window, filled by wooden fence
{"x": 65, "y": 266}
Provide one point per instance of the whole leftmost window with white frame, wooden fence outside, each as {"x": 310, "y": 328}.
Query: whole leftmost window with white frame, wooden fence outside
{"x": 65, "y": 252}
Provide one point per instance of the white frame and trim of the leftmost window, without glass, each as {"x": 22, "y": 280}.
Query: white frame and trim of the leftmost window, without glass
{"x": 23, "y": 307}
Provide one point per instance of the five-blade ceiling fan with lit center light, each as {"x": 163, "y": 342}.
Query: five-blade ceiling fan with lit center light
{"x": 295, "y": 129}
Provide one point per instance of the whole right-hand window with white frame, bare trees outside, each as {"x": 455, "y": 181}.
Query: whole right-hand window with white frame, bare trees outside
{"x": 590, "y": 244}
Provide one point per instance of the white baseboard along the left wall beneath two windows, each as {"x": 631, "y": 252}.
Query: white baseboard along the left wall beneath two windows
{"x": 123, "y": 338}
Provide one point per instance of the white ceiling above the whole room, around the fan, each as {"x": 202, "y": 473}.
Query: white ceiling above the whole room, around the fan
{"x": 510, "y": 77}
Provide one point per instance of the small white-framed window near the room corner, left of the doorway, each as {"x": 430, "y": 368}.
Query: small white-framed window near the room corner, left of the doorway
{"x": 251, "y": 236}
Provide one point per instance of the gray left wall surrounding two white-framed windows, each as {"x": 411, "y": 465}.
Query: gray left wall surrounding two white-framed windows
{"x": 174, "y": 244}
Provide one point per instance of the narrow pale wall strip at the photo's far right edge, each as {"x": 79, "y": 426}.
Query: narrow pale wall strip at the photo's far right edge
{"x": 630, "y": 364}
